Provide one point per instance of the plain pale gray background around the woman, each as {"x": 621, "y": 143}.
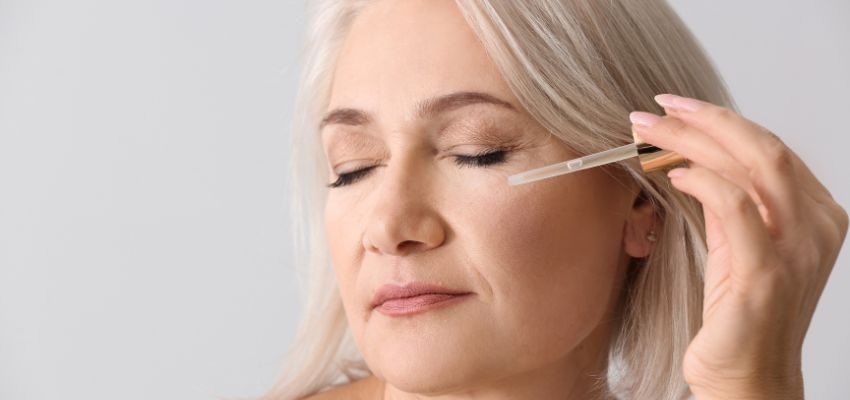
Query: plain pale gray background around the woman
{"x": 144, "y": 240}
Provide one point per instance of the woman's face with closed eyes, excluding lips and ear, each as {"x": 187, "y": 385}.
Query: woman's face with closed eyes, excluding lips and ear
{"x": 542, "y": 261}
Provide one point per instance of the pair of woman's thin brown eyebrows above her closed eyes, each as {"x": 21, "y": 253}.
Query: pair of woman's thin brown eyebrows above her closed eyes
{"x": 425, "y": 109}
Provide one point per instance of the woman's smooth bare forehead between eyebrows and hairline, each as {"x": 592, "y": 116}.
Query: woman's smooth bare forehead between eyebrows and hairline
{"x": 399, "y": 52}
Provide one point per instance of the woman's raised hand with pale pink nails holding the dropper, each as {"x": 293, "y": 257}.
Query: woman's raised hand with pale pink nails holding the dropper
{"x": 773, "y": 235}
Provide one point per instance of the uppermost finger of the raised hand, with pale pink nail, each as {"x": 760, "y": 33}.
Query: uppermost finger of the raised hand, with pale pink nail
{"x": 768, "y": 161}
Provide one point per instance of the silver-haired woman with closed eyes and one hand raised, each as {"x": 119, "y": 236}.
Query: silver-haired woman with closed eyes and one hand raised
{"x": 445, "y": 282}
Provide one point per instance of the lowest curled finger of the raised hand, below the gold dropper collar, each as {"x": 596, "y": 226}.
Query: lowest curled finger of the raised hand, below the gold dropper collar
{"x": 736, "y": 213}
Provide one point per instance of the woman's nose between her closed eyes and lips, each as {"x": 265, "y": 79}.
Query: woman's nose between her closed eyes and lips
{"x": 403, "y": 219}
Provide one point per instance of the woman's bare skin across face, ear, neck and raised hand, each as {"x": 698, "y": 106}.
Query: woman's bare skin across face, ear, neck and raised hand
{"x": 544, "y": 262}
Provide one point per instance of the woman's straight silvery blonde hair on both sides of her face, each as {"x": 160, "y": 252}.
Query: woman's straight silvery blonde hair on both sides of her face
{"x": 578, "y": 67}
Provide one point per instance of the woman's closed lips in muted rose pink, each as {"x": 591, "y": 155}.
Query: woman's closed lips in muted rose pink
{"x": 412, "y": 296}
